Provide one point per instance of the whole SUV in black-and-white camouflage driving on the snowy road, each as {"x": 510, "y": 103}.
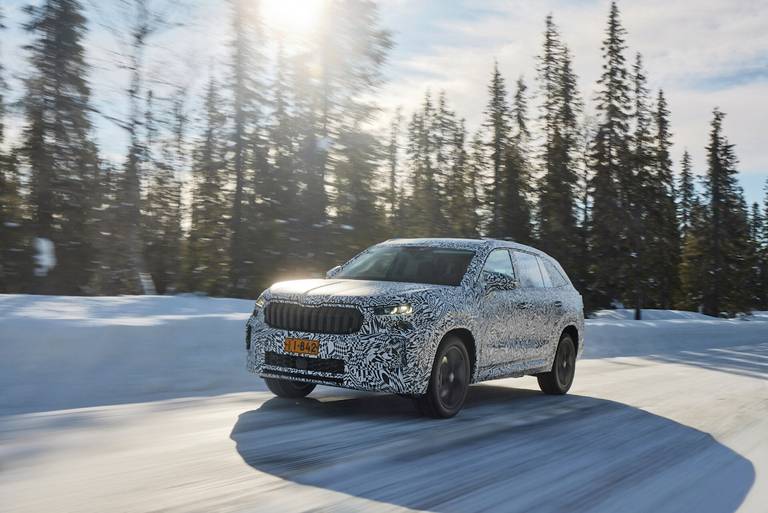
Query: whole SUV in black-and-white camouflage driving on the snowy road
{"x": 423, "y": 318}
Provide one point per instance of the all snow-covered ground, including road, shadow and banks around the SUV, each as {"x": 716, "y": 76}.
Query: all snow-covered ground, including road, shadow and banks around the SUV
{"x": 143, "y": 404}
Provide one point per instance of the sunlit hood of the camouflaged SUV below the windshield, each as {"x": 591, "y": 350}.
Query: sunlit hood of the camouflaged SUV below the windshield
{"x": 340, "y": 288}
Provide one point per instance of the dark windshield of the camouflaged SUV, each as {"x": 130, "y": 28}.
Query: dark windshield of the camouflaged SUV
{"x": 412, "y": 264}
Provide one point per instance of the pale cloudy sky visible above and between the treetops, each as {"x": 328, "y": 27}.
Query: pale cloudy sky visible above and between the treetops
{"x": 703, "y": 53}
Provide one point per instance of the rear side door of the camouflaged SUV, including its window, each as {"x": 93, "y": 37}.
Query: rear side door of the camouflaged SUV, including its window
{"x": 531, "y": 305}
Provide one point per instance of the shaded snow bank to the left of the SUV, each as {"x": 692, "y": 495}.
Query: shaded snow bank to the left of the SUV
{"x": 68, "y": 352}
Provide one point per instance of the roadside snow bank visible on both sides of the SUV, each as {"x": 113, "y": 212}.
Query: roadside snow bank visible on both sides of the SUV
{"x": 69, "y": 352}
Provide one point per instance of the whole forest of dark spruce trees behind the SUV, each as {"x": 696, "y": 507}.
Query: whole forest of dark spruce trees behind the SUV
{"x": 279, "y": 172}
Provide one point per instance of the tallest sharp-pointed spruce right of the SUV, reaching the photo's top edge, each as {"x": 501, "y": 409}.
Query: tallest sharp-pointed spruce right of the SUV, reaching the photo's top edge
{"x": 610, "y": 219}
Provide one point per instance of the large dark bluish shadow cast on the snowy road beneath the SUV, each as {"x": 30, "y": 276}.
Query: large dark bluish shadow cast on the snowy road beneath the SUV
{"x": 508, "y": 450}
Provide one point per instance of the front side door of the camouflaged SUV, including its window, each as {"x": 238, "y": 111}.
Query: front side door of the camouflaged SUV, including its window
{"x": 499, "y": 317}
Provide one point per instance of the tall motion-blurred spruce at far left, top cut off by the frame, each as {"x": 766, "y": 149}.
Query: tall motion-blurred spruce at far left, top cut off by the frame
{"x": 57, "y": 144}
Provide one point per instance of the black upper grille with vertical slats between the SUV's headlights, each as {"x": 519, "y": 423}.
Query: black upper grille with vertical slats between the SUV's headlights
{"x": 337, "y": 320}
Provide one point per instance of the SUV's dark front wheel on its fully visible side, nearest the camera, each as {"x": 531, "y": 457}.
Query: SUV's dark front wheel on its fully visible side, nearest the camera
{"x": 448, "y": 382}
